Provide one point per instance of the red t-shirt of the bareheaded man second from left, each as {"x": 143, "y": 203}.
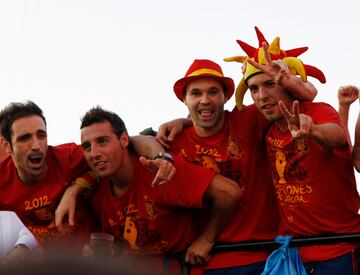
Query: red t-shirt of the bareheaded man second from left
{"x": 149, "y": 219}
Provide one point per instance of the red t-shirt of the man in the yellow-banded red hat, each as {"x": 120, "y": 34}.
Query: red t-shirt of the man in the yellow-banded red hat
{"x": 238, "y": 151}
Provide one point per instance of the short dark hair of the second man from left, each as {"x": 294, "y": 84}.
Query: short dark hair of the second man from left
{"x": 97, "y": 114}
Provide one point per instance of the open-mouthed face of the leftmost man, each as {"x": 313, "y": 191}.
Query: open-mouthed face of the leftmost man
{"x": 29, "y": 148}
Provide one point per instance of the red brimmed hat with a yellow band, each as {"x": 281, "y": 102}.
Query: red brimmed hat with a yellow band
{"x": 203, "y": 68}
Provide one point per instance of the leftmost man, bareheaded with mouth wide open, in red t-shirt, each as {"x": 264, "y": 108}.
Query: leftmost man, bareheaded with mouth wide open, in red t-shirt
{"x": 34, "y": 176}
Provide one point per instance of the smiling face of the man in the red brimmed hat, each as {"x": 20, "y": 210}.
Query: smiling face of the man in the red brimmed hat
{"x": 205, "y": 100}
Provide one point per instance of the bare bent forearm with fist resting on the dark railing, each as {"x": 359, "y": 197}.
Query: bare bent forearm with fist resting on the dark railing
{"x": 223, "y": 195}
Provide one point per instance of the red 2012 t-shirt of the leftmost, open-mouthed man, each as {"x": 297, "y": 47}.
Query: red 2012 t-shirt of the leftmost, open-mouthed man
{"x": 36, "y": 204}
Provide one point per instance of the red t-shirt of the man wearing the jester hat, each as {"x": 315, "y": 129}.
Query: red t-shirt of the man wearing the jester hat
{"x": 315, "y": 186}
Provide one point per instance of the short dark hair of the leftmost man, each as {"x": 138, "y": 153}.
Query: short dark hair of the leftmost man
{"x": 15, "y": 111}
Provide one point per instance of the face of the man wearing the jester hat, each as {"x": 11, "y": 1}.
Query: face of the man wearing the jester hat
{"x": 266, "y": 95}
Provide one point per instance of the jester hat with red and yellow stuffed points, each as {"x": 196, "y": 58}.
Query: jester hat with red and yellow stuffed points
{"x": 296, "y": 67}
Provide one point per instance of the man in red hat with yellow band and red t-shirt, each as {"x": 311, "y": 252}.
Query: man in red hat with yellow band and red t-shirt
{"x": 230, "y": 143}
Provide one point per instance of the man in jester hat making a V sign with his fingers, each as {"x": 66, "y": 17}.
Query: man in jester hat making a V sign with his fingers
{"x": 311, "y": 165}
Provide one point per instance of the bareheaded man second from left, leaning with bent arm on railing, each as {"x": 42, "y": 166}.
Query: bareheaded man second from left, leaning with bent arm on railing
{"x": 152, "y": 221}
